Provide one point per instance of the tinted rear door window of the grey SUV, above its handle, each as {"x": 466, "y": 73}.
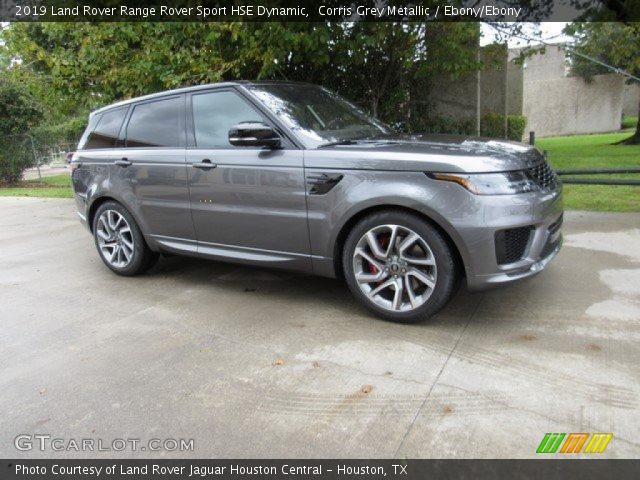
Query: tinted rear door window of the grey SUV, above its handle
{"x": 156, "y": 124}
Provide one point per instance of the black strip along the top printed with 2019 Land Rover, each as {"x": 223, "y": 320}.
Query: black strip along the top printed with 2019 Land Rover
{"x": 324, "y": 11}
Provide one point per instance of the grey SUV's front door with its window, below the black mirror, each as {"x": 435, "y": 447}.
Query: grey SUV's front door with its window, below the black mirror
{"x": 247, "y": 203}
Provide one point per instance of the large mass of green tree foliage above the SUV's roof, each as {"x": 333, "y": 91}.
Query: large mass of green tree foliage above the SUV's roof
{"x": 383, "y": 67}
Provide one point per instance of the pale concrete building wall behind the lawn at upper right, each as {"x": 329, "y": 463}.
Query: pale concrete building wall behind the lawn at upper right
{"x": 540, "y": 88}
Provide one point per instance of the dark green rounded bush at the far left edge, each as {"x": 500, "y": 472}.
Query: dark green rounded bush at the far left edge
{"x": 19, "y": 111}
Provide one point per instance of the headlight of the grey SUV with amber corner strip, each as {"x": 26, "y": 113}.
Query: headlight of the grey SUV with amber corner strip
{"x": 504, "y": 183}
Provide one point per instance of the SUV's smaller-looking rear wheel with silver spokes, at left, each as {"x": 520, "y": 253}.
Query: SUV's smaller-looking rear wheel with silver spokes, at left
{"x": 120, "y": 242}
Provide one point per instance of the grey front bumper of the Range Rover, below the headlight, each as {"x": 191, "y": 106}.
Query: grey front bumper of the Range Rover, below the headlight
{"x": 540, "y": 214}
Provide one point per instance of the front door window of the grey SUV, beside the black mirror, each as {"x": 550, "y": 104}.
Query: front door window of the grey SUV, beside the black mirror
{"x": 214, "y": 113}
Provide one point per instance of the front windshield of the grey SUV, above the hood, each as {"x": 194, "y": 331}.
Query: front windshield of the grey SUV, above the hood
{"x": 318, "y": 115}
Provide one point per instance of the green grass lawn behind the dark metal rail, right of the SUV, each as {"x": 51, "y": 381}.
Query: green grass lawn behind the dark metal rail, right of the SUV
{"x": 596, "y": 151}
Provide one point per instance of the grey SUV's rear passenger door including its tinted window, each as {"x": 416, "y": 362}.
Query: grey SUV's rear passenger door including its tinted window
{"x": 153, "y": 172}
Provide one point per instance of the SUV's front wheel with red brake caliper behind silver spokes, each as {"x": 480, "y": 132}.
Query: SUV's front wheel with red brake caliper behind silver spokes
{"x": 420, "y": 266}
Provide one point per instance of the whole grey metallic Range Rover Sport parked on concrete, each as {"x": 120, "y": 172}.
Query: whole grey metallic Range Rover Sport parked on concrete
{"x": 290, "y": 175}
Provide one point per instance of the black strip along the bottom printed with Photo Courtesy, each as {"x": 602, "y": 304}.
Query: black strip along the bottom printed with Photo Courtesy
{"x": 547, "y": 469}
